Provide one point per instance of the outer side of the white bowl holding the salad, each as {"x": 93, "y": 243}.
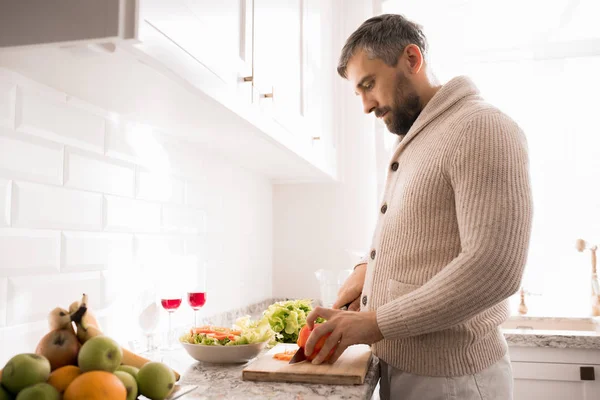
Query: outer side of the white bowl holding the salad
{"x": 224, "y": 354}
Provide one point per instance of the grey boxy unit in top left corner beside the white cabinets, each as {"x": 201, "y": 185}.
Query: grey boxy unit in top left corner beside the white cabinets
{"x": 43, "y": 22}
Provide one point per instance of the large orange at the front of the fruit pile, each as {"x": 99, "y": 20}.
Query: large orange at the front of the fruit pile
{"x": 96, "y": 385}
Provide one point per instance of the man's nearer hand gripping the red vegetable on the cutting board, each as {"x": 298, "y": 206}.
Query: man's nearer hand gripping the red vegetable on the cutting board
{"x": 346, "y": 327}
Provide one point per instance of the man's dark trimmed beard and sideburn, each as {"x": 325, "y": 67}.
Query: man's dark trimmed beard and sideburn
{"x": 403, "y": 115}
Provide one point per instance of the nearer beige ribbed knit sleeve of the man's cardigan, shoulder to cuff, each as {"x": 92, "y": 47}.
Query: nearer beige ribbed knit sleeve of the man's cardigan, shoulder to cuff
{"x": 490, "y": 179}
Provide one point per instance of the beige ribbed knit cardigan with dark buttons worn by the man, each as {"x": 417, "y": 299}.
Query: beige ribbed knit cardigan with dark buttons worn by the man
{"x": 451, "y": 238}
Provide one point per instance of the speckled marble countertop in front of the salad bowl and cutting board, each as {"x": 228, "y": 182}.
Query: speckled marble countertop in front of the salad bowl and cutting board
{"x": 224, "y": 381}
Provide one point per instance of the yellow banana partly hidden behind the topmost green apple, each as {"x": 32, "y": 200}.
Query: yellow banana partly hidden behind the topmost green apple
{"x": 87, "y": 328}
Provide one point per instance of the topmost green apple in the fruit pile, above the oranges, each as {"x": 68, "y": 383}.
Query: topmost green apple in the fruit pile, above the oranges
{"x": 100, "y": 353}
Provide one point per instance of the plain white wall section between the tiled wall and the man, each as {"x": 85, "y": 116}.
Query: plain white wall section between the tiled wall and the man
{"x": 320, "y": 225}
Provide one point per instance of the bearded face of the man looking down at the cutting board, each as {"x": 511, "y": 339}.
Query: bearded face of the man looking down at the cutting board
{"x": 386, "y": 91}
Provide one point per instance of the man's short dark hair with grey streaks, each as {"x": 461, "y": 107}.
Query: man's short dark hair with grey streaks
{"x": 385, "y": 37}
